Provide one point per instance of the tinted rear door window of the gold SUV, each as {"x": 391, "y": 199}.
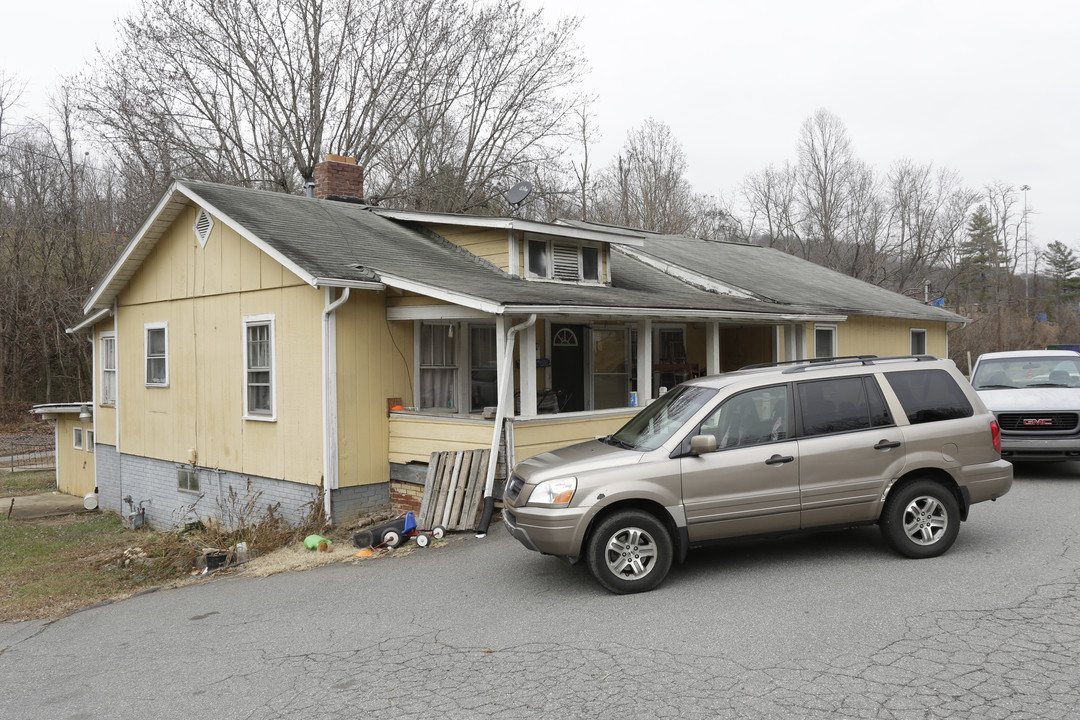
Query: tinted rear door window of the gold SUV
{"x": 842, "y": 405}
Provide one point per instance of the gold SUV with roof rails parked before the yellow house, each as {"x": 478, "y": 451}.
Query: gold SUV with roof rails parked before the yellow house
{"x": 901, "y": 442}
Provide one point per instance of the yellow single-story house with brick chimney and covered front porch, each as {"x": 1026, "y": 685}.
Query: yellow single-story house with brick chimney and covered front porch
{"x": 317, "y": 347}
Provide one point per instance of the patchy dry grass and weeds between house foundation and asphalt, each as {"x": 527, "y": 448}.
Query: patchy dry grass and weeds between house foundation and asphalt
{"x": 53, "y": 567}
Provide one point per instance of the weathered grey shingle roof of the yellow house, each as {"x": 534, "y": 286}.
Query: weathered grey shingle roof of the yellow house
{"x": 336, "y": 243}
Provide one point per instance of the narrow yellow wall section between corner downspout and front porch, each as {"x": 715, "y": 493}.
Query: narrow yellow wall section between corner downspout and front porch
{"x": 375, "y": 363}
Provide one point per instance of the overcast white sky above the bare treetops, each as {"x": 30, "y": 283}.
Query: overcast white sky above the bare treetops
{"x": 987, "y": 88}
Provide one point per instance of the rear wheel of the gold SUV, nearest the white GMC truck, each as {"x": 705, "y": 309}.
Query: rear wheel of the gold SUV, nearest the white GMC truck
{"x": 922, "y": 520}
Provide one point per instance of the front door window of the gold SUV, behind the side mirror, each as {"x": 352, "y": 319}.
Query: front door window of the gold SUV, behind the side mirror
{"x": 758, "y": 416}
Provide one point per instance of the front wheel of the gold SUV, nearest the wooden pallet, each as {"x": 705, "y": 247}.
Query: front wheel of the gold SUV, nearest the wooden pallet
{"x": 630, "y": 552}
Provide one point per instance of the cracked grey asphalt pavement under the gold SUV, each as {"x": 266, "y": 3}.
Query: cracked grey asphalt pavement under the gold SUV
{"x": 828, "y": 626}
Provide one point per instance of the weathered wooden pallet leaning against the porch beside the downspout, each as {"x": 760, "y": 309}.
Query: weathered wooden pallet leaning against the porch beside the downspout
{"x": 454, "y": 491}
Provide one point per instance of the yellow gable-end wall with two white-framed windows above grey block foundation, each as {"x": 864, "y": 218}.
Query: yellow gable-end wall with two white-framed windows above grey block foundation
{"x": 204, "y": 295}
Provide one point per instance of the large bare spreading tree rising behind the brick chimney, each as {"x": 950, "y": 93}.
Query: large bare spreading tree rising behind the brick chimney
{"x": 441, "y": 102}
